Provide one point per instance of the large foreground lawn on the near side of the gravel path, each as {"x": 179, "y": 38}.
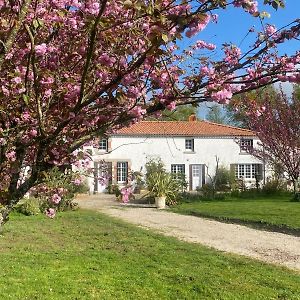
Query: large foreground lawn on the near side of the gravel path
{"x": 86, "y": 255}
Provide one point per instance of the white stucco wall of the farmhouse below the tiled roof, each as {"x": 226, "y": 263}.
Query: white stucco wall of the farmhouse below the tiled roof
{"x": 136, "y": 150}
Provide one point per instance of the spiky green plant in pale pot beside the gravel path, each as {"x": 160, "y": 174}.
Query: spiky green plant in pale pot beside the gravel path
{"x": 163, "y": 187}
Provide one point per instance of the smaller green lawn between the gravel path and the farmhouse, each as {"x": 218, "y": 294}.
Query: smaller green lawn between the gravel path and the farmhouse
{"x": 276, "y": 213}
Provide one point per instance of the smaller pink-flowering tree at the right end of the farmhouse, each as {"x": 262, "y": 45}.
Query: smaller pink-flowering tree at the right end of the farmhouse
{"x": 276, "y": 122}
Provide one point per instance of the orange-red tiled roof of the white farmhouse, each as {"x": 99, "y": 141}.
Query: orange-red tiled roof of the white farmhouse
{"x": 182, "y": 128}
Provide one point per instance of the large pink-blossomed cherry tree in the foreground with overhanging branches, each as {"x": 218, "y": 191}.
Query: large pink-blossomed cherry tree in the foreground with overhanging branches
{"x": 72, "y": 70}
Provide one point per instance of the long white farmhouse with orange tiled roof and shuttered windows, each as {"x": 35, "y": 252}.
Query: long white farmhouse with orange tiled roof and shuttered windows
{"x": 189, "y": 147}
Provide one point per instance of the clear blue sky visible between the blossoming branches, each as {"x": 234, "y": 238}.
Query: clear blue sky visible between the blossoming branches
{"x": 233, "y": 25}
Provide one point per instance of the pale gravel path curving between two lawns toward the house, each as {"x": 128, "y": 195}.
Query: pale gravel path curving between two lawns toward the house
{"x": 270, "y": 247}
